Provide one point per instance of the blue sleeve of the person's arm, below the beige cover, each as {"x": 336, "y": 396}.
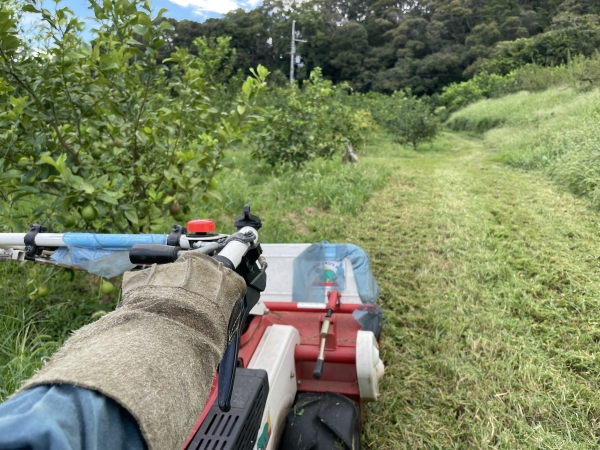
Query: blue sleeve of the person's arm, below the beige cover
{"x": 66, "y": 417}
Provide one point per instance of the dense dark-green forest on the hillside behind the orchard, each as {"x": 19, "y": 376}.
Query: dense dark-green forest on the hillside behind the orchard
{"x": 389, "y": 45}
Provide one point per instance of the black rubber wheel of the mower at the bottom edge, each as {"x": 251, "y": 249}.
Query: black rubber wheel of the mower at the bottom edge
{"x": 327, "y": 421}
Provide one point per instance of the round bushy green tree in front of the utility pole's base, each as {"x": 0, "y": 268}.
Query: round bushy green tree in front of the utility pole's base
{"x": 302, "y": 124}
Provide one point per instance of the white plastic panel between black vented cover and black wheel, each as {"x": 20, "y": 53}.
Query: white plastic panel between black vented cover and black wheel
{"x": 275, "y": 354}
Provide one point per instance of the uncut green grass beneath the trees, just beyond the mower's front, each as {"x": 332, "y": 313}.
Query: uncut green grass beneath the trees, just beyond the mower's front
{"x": 305, "y": 205}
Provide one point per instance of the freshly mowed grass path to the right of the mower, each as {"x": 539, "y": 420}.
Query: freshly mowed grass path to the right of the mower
{"x": 490, "y": 279}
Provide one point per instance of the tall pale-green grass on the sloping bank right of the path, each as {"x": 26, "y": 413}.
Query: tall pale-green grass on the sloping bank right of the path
{"x": 557, "y": 131}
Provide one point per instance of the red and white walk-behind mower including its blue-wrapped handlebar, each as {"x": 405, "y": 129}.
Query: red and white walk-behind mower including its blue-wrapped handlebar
{"x": 304, "y": 360}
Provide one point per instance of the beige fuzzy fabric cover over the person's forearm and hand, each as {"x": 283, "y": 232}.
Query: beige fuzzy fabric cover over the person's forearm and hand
{"x": 156, "y": 354}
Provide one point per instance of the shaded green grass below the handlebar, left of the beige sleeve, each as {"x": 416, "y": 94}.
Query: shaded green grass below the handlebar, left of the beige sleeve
{"x": 32, "y": 327}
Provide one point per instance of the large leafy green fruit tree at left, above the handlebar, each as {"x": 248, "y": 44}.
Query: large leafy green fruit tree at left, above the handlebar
{"x": 105, "y": 126}
